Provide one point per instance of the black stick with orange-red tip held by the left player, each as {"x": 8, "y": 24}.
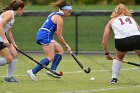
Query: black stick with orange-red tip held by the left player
{"x": 54, "y": 72}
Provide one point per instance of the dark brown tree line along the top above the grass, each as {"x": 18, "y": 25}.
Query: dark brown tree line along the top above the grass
{"x": 86, "y": 2}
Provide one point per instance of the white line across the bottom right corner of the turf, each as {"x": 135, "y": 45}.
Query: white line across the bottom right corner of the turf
{"x": 103, "y": 89}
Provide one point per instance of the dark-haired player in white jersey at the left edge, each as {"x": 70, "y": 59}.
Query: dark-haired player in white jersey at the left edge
{"x": 7, "y": 43}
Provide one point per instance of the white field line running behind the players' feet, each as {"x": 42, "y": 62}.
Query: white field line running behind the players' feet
{"x": 74, "y": 72}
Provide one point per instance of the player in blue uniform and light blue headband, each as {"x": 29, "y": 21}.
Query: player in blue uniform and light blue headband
{"x": 44, "y": 37}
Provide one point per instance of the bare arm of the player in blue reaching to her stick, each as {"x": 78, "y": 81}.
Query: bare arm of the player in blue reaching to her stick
{"x": 59, "y": 34}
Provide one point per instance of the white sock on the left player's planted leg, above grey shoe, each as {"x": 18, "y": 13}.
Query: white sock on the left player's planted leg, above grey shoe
{"x": 11, "y": 68}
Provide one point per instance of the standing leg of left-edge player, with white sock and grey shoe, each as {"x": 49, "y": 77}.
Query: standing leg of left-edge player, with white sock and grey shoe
{"x": 11, "y": 66}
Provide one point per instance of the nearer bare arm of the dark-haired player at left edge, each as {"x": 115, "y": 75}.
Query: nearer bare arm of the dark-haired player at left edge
{"x": 5, "y": 18}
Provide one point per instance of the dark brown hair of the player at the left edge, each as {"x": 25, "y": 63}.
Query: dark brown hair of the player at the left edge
{"x": 15, "y": 5}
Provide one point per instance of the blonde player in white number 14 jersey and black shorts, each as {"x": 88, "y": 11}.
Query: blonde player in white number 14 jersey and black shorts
{"x": 126, "y": 35}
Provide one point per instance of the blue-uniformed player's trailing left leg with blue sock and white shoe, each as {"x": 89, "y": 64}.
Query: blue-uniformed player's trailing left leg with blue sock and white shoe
{"x": 49, "y": 52}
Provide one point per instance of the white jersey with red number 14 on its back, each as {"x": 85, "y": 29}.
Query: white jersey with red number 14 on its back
{"x": 124, "y": 26}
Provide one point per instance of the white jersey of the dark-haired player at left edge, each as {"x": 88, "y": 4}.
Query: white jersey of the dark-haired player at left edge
{"x": 9, "y": 24}
